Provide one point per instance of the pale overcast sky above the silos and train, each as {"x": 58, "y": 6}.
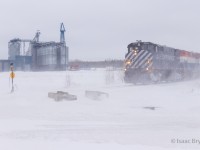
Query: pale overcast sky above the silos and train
{"x": 102, "y": 29}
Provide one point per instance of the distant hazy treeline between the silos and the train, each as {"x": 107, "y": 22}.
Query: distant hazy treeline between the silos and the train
{"x": 96, "y": 64}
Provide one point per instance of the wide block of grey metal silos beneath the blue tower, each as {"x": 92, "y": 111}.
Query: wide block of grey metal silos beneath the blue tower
{"x": 49, "y": 56}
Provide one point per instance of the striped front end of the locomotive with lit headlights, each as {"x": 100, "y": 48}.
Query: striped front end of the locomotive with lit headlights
{"x": 138, "y": 61}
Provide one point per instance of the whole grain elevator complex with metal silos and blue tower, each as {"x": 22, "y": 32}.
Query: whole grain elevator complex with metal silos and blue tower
{"x": 40, "y": 56}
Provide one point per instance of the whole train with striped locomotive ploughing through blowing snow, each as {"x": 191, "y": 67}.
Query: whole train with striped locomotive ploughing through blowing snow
{"x": 146, "y": 62}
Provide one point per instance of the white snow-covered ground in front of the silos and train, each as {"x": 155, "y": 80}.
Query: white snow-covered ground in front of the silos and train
{"x": 29, "y": 120}
